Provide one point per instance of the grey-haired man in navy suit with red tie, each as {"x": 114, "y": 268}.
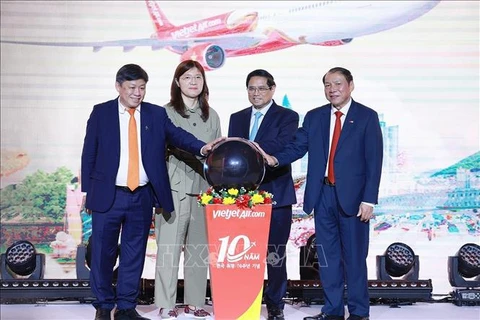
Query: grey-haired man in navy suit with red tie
{"x": 342, "y": 192}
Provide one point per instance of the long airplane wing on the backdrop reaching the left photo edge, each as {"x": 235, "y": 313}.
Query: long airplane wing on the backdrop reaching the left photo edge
{"x": 228, "y": 42}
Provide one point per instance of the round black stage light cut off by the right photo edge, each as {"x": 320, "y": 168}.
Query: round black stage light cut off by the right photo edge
{"x": 464, "y": 275}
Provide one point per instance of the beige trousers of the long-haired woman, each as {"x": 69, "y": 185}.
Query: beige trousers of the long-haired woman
{"x": 182, "y": 229}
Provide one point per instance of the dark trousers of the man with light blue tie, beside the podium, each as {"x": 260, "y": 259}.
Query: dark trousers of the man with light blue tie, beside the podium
{"x": 280, "y": 225}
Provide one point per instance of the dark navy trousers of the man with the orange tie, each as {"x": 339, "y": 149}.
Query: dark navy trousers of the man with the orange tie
{"x": 131, "y": 214}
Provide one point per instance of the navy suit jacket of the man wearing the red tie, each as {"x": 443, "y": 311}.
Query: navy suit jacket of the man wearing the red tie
{"x": 358, "y": 158}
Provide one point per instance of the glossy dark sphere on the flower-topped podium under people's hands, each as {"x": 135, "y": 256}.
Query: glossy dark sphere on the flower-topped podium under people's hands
{"x": 234, "y": 163}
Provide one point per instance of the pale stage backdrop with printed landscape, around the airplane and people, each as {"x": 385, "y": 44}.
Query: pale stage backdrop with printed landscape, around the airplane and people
{"x": 422, "y": 77}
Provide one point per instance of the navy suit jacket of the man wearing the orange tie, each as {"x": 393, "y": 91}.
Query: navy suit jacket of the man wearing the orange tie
{"x": 101, "y": 153}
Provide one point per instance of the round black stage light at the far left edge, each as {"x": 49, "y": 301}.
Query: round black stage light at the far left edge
{"x": 21, "y": 260}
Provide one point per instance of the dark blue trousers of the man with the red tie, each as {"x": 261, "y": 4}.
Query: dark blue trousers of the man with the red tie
{"x": 342, "y": 247}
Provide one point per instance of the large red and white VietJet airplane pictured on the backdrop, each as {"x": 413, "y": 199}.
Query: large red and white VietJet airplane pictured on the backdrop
{"x": 238, "y": 33}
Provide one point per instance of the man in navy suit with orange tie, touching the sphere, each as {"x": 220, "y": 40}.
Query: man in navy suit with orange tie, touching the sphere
{"x": 117, "y": 204}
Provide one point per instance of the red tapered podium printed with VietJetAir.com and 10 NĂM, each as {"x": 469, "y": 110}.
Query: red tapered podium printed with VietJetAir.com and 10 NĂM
{"x": 238, "y": 240}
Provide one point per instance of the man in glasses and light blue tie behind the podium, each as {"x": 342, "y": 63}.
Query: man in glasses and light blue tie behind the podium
{"x": 271, "y": 126}
